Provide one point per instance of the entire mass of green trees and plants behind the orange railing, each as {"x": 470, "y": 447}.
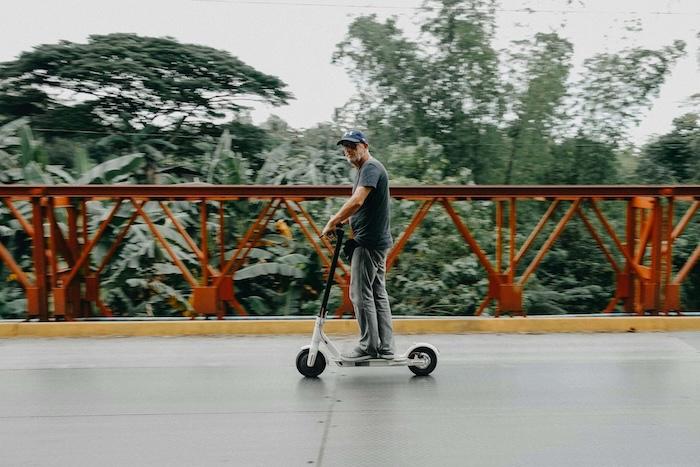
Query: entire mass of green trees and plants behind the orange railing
{"x": 443, "y": 108}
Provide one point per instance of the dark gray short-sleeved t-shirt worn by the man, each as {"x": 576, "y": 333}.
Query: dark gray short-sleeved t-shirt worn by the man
{"x": 370, "y": 224}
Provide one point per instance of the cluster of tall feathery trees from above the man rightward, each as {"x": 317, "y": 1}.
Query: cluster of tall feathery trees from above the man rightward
{"x": 501, "y": 115}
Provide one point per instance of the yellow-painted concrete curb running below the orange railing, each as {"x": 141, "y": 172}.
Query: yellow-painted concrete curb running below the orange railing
{"x": 349, "y": 326}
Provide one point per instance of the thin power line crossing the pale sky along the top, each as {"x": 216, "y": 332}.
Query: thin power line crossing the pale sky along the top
{"x": 415, "y": 8}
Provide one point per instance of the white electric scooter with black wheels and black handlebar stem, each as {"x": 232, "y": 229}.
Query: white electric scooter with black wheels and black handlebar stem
{"x": 420, "y": 358}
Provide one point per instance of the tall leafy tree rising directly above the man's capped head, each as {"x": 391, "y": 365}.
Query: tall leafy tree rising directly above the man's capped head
{"x": 444, "y": 87}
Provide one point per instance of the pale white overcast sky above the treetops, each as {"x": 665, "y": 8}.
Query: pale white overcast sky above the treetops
{"x": 295, "y": 41}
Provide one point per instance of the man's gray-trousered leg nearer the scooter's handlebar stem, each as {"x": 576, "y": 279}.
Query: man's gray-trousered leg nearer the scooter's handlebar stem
{"x": 363, "y": 271}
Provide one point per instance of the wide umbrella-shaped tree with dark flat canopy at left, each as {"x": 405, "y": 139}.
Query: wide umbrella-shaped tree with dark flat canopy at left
{"x": 135, "y": 86}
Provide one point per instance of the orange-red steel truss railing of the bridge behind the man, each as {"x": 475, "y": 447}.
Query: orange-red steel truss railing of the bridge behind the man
{"x": 61, "y": 252}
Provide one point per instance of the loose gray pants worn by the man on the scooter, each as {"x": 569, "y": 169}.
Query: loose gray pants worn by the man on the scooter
{"x": 370, "y": 301}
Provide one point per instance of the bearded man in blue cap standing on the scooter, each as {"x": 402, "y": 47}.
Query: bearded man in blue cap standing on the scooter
{"x": 368, "y": 212}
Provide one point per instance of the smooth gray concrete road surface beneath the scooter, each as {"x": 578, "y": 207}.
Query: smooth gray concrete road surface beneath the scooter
{"x": 494, "y": 400}
